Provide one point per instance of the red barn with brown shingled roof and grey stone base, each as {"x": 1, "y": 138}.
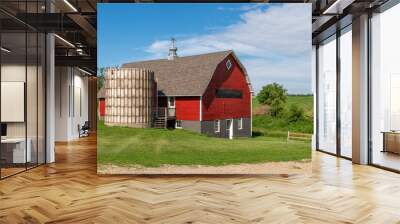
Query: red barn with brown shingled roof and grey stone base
{"x": 208, "y": 93}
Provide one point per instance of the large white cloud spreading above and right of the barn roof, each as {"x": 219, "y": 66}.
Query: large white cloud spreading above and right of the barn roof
{"x": 274, "y": 44}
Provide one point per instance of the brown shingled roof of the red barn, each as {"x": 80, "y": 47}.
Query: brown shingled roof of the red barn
{"x": 183, "y": 76}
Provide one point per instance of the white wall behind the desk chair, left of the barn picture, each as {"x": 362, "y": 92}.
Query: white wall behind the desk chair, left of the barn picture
{"x": 70, "y": 83}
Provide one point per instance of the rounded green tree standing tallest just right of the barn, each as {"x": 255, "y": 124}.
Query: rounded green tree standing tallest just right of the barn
{"x": 275, "y": 96}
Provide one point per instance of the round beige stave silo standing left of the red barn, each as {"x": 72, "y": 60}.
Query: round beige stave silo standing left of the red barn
{"x": 129, "y": 97}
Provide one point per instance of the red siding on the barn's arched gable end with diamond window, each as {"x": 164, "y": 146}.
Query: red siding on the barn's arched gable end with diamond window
{"x": 222, "y": 108}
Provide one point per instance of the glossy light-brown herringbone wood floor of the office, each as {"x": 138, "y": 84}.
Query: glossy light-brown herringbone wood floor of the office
{"x": 69, "y": 191}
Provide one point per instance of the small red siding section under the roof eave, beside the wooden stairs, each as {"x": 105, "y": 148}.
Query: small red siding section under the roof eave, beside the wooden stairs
{"x": 187, "y": 108}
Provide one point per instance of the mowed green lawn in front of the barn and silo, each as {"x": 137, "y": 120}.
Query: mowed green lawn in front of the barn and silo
{"x": 156, "y": 147}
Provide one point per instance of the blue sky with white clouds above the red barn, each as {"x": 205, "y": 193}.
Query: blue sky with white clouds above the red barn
{"x": 273, "y": 41}
